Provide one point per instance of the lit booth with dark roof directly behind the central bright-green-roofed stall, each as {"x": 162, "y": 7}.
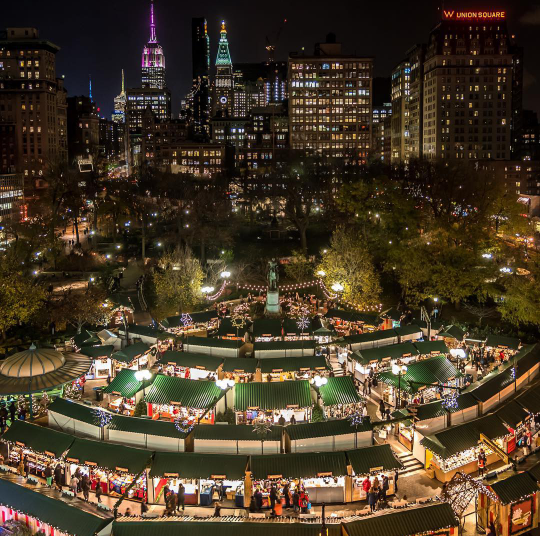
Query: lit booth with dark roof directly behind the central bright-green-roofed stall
{"x": 292, "y": 368}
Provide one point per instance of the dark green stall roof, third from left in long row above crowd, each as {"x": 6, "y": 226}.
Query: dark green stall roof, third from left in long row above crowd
{"x": 195, "y": 465}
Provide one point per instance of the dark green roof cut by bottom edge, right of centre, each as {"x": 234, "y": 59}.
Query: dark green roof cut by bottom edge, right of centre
{"x": 417, "y": 520}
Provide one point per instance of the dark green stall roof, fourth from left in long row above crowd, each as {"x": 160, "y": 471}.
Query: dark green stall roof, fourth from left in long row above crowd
{"x": 298, "y": 465}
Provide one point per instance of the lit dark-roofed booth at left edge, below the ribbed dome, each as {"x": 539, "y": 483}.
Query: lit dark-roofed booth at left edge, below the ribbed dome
{"x": 39, "y": 447}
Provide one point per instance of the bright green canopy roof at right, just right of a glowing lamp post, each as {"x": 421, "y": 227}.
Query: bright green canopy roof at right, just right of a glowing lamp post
{"x": 436, "y": 370}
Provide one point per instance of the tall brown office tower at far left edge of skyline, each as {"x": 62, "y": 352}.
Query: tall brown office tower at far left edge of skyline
{"x": 33, "y": 130}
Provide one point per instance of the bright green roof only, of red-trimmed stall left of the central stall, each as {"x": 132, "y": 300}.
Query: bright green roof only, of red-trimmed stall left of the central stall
{"x": 198, "y": 394}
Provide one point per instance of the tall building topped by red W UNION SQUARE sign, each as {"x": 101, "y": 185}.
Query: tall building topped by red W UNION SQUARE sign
{"x": 471, "y": 87}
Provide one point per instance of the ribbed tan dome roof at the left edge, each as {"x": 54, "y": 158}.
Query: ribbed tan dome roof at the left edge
{"x": 32, "y": 362}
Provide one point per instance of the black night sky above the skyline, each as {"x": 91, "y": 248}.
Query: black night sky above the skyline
{"x": 101, "y": 37}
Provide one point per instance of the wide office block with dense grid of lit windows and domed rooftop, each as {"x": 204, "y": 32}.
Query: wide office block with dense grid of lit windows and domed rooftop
{"x": 330, "y": 103}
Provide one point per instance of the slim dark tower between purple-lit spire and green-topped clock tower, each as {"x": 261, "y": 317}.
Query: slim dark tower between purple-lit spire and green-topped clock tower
{"x": 200, "y": 93}
